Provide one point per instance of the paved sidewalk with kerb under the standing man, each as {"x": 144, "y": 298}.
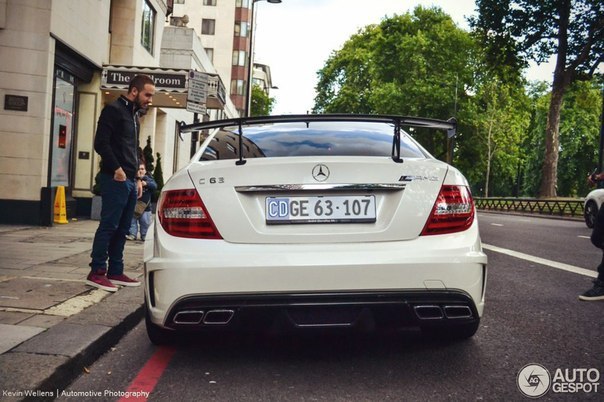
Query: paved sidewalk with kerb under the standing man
{"x": 51, "y": 324}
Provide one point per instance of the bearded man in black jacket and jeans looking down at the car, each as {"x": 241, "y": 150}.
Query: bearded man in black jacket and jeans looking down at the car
{"x": 116, "y": 141}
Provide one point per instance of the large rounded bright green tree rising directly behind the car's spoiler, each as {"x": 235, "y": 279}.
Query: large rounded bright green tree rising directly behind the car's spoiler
{"x": 413, "y": 64}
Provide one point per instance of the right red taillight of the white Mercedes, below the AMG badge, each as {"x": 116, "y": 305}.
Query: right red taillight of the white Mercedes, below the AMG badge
{"x": 453, "y": 211}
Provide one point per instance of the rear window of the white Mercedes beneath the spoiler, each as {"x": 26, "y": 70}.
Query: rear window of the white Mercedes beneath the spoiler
{"x": 318, "y": 139}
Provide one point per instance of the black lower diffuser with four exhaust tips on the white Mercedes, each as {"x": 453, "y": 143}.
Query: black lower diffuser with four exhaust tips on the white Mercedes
{"x": 364, "y": 310}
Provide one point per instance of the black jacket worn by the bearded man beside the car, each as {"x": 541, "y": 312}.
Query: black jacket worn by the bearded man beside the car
{"x": 116, "y": 139}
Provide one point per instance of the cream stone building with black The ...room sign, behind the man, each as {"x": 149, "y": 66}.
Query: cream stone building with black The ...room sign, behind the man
{"x": 61, "y": 61}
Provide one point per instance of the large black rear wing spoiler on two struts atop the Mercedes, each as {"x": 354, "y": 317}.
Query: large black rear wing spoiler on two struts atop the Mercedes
{"x": 397, "y": 121}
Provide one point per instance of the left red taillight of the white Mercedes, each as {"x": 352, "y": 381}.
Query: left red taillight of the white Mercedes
{"x": 182, "y": 213}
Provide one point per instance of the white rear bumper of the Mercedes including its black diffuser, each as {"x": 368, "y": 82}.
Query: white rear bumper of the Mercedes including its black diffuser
{"x": 349, "y": 279}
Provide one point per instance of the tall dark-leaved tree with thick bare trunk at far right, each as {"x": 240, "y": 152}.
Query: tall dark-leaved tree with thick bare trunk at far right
{"x": 517, "y": 31}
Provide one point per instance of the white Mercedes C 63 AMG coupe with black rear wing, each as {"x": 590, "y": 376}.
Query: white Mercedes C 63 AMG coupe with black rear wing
{"x": 314, "y": 221}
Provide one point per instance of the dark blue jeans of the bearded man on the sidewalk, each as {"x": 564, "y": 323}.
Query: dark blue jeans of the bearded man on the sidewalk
{"x": 118, "y": 199}
